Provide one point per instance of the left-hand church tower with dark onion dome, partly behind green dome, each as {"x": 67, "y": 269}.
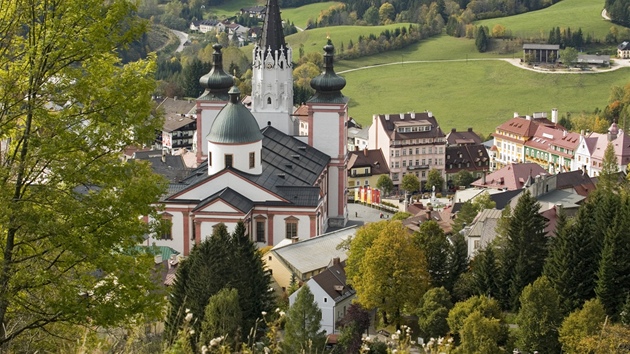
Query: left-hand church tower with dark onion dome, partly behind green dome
{"x": 217, "y": 83}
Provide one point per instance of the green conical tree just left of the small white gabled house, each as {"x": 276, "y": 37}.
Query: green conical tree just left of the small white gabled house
{"x": 302, "y": 330}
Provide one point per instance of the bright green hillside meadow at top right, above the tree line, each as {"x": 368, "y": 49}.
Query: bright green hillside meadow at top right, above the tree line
{"x": 566, "y": 13}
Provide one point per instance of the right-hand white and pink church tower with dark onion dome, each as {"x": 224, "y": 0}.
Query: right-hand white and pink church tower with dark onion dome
{"x": 327, "y": 132}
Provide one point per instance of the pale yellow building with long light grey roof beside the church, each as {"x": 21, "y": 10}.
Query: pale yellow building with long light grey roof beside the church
{"x": 304, "y": 259}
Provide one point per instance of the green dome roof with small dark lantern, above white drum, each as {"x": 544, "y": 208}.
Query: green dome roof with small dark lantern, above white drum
{"x": 234, "y": 124}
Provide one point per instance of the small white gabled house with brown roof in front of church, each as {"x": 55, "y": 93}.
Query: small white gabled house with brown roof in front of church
{"x": 332, "y": 295}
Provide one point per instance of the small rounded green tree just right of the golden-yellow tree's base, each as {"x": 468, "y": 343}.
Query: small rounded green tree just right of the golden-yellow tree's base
{"x": 433, "y": 311}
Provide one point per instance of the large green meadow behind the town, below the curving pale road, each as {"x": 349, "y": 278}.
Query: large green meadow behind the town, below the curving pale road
{"x": 478, "y": 94}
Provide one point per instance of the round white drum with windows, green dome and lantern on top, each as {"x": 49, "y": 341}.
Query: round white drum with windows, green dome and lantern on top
{"x": 234, "y": 139}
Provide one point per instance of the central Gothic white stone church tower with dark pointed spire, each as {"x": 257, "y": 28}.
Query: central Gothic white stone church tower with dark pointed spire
{"x": 272, "y": 81}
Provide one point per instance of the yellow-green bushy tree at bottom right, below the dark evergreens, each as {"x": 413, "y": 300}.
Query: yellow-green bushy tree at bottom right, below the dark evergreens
{"x": 580, "y": 324}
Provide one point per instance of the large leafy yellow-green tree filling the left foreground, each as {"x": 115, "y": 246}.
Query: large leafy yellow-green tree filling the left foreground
{"x": 70, "y": 209}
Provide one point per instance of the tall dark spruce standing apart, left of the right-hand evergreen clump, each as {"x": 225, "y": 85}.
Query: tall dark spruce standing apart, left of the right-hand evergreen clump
{"x": 526, "y": 248}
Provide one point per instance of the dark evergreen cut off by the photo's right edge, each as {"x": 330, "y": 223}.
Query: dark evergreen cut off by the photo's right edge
{"x": 613, "y": 275}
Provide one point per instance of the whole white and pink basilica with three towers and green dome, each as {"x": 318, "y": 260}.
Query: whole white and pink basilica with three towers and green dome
{"x": 253, "y": 166}
